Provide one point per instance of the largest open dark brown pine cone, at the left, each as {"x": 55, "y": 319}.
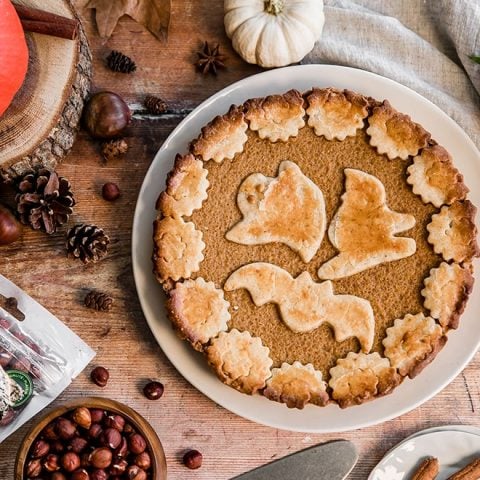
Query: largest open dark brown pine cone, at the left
{"x": 44, "y": 200}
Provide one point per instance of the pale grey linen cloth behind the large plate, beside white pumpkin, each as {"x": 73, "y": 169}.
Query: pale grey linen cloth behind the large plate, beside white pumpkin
{"x": 423, "y": 44}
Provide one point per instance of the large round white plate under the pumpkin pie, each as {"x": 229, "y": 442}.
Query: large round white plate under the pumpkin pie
{"x": 462, "y": 344}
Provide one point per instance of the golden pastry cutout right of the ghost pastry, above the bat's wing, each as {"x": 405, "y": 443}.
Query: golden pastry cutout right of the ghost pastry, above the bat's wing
{"x": 363, "y": 229}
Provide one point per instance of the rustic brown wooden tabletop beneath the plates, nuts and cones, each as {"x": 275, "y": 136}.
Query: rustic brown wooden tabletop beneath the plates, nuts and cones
{"x": 183, "y": 418}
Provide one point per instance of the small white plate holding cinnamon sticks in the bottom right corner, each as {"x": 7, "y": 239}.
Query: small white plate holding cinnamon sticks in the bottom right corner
{"x": 454, "y": 450}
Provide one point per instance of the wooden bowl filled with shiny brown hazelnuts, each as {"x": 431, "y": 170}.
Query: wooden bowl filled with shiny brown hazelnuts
{"x": 91, "y": 439}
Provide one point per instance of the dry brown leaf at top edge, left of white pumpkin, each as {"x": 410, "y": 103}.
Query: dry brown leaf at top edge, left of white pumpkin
{"x": 153, "y": 14}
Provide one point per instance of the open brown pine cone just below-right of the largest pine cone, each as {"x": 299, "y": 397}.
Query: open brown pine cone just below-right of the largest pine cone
{"x": 87, "y": 242}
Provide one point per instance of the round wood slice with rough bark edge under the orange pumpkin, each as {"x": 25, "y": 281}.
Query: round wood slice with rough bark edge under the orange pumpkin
{"x": 40, "y": 137}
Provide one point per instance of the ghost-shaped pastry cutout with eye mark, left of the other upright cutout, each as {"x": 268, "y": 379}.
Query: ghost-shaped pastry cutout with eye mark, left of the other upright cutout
{"x": 289, "y": 209}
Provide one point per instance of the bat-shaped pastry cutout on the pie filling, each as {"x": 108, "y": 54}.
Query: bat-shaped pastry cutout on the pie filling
{"x": 305, "y": 305}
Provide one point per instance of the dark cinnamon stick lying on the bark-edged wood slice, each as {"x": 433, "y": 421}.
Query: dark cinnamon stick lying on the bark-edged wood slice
{"x": 39, "y": 21}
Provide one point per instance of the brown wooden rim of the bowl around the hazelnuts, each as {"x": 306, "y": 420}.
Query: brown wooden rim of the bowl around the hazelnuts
{"x": 159, "y": 464}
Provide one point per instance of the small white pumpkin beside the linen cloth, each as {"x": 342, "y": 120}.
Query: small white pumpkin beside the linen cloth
{"x": 273, "y": 33}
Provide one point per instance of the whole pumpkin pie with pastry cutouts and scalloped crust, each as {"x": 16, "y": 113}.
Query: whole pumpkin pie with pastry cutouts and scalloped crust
{"x": 316, "y": 248}
